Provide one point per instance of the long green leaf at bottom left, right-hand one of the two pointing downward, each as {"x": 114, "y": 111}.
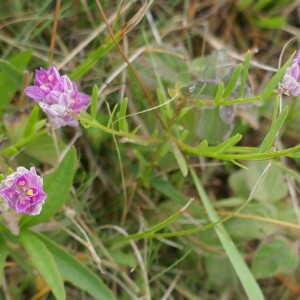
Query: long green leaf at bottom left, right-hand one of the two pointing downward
{"x": 75, "y": 272}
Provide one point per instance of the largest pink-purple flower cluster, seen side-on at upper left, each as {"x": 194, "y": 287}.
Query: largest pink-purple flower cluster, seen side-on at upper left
{"x": 58, "y": 97}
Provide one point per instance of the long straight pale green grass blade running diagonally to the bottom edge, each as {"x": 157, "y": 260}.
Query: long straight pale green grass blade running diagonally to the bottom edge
{"x": 250, "y": 285}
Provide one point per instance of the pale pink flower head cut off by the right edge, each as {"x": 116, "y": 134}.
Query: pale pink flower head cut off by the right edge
{"x": 291, "y": 80}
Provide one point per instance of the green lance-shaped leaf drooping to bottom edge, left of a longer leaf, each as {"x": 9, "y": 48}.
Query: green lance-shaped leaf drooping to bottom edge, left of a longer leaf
{"x": 44, "y": 262}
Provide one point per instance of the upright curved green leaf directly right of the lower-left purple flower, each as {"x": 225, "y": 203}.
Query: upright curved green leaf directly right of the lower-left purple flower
{"x": 57, "y": 186}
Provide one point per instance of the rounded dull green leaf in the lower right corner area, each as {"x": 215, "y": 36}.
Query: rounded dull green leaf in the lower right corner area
{"x": 275, "y": 257}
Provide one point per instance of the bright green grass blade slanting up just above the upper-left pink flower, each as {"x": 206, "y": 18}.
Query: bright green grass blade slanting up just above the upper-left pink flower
{"x": 93, "y": 58}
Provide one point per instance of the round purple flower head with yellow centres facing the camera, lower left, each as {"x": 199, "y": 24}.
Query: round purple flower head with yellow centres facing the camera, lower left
{"x": 23, "y": 191}
